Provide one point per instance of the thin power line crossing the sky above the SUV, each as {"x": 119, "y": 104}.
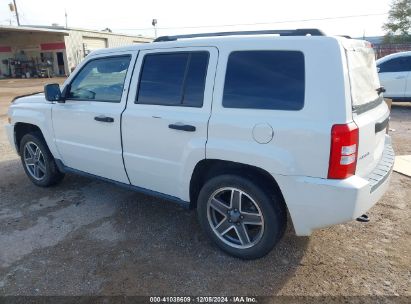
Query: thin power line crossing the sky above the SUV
{"x": 251, "y": 24}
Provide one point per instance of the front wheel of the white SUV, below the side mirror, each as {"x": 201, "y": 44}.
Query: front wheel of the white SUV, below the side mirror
{"x": 38, "y": 162}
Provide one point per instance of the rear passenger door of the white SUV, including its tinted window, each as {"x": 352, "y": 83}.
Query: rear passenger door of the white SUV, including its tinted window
{"x": 165, "y": 123}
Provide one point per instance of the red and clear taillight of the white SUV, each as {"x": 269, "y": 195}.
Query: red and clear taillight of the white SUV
{"x": 343, "y": 154}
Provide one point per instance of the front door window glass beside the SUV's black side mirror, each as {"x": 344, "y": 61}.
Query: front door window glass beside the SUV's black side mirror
{"x": 100, "y": 80}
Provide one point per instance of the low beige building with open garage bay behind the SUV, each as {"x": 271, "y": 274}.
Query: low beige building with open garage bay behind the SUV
{"x": 35, "y": 51}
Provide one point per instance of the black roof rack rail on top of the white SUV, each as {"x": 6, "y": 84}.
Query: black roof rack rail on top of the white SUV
{"x": 297, "y": 32}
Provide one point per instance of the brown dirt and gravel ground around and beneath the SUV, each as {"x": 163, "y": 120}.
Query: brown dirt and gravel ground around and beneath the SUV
{"x": 87, "y": 237}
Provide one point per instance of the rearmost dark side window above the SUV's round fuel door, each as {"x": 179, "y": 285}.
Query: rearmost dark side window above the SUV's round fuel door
{"x": 272, "y": 80}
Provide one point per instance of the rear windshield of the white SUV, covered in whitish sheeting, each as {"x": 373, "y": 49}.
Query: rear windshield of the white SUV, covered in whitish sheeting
{"x": 363, "y": 75}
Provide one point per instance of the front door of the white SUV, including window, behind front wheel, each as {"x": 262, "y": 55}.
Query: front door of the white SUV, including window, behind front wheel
{"x": 87, "y": 126}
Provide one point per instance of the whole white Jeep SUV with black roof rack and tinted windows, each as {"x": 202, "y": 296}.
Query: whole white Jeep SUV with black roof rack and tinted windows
{"x": 244, "y": 127}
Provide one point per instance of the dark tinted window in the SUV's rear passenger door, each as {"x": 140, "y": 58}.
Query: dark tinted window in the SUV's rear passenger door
{"x": 173, "y": 79}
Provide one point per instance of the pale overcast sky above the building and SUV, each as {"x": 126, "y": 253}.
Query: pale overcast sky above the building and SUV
{"x": 355, "y": 18}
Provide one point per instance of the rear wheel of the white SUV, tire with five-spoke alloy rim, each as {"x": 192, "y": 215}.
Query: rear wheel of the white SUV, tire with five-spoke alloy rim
{"x": 268, "y": 216}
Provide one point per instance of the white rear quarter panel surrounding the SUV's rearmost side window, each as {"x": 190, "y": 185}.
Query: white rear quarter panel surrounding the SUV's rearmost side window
{"x": 301, "y": 140}
